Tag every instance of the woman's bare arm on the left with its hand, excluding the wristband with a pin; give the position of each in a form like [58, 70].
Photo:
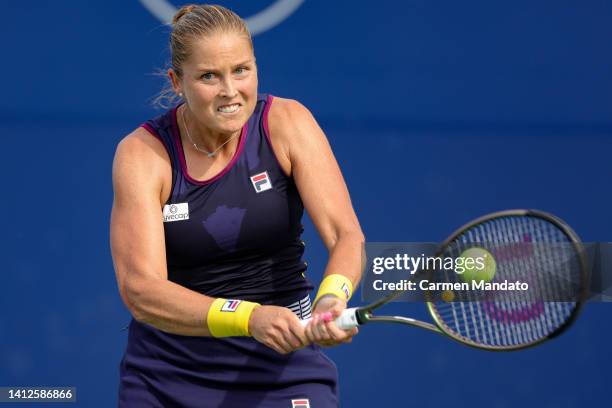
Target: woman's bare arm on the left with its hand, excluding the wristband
[141, 171]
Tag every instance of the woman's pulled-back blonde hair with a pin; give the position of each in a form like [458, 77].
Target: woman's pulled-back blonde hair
[191, 22]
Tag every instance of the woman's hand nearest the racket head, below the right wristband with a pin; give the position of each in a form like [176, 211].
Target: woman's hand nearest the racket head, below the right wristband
[322, 330]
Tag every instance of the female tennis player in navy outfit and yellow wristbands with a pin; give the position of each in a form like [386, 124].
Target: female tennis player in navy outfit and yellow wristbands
[205, 236]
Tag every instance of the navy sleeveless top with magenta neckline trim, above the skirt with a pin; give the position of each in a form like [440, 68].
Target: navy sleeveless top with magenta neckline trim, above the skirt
[236, 235]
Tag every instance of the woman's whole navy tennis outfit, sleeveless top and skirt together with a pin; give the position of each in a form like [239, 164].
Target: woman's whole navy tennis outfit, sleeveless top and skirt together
[236, 235]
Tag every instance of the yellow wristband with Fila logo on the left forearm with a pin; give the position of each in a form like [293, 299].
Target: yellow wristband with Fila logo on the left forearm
[229, 317]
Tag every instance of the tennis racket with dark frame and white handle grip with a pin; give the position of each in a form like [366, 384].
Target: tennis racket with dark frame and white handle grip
[530, 245]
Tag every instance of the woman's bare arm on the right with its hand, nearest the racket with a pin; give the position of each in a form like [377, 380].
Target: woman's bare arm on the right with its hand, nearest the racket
[306, 154]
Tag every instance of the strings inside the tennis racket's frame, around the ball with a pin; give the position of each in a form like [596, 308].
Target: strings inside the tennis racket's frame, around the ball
[528, 249]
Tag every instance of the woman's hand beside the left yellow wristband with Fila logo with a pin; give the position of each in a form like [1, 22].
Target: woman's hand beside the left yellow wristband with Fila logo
[278, 328]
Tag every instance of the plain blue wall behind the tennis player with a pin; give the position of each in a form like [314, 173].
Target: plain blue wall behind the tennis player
[438, 111]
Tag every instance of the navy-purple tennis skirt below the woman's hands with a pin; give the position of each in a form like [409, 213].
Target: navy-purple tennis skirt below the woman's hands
[166, 370]
